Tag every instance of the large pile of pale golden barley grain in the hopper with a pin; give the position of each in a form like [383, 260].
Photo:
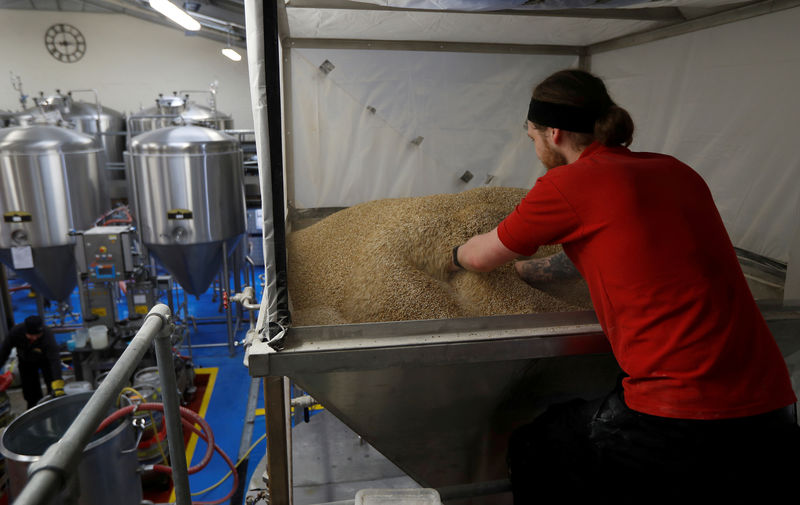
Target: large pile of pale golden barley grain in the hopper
[387, 260]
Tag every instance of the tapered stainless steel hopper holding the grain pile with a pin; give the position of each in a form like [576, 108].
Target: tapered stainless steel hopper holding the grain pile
[440, 398]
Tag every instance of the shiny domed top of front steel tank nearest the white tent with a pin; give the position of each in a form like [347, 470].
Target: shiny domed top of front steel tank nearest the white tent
[183, 140]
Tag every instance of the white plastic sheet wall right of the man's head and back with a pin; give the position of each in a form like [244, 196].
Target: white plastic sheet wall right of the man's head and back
[724, 100]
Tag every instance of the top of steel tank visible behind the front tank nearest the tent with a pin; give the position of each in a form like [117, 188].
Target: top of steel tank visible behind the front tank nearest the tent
[171, 110]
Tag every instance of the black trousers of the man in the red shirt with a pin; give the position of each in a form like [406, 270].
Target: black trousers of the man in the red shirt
[603, 452]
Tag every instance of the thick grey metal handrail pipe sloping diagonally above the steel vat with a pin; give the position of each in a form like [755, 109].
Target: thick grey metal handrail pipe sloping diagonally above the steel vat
[49, 474]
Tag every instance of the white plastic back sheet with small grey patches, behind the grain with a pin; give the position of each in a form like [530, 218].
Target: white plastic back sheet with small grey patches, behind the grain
[469, 110]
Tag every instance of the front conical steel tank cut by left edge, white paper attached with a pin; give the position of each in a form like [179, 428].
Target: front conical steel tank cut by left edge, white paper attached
[52, 181]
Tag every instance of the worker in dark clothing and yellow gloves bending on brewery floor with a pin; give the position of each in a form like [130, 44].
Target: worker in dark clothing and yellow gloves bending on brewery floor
[36, 350]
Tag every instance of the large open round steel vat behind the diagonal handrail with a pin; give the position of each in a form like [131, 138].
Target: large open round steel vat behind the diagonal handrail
[107, 472]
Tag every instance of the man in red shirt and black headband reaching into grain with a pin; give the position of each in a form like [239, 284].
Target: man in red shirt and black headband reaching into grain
[705, 410]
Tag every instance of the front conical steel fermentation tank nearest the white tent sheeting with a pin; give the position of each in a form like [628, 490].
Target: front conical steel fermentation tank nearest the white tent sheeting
[188, 191]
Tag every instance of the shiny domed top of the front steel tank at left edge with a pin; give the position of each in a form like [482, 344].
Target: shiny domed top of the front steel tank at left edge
[45, 138]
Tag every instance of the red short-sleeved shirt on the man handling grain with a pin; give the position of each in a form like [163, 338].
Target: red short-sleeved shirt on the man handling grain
[669, 293]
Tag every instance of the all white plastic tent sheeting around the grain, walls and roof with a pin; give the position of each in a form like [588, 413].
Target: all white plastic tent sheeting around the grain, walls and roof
[720, 99]
